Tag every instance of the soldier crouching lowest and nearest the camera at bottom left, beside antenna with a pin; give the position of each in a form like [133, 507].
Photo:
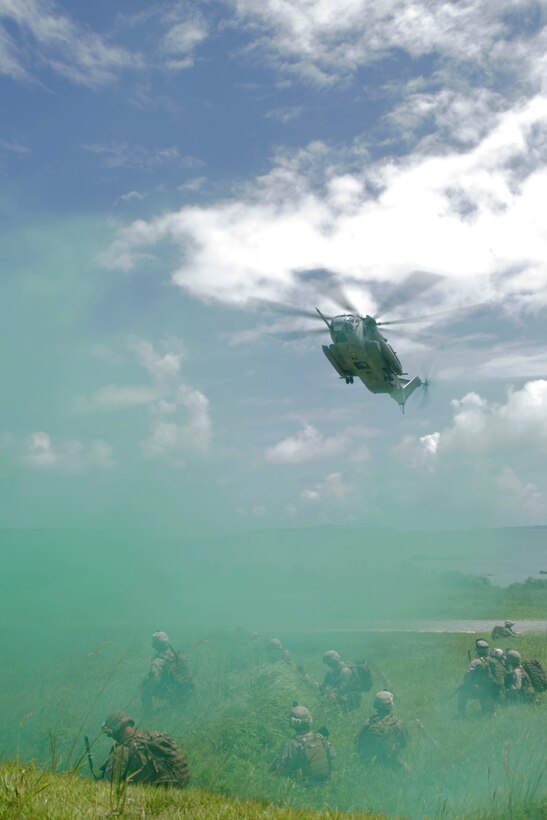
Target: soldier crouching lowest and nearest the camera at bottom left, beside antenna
[142, 756]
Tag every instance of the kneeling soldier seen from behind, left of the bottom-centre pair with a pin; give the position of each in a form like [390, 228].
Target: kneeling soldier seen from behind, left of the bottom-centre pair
[309, 755]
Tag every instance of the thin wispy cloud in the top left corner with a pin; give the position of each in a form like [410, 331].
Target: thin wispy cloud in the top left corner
[82, 56]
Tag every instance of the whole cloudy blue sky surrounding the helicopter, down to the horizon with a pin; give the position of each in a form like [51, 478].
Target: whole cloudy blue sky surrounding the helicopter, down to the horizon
[164, 165]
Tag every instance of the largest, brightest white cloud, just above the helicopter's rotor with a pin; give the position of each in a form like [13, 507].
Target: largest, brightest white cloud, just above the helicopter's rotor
[473, 216]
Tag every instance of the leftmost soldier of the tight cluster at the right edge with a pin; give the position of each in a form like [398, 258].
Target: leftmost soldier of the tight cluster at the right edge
[484, 680]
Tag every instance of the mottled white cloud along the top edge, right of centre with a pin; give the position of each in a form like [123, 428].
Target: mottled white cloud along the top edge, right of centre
[323, 41]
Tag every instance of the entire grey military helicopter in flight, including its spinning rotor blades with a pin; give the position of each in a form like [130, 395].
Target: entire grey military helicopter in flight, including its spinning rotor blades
[358, 349]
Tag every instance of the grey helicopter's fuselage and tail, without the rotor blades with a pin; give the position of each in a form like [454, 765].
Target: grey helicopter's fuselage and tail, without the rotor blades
[359, 350]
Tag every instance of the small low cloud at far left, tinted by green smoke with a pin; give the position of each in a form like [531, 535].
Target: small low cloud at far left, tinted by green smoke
[66, 456]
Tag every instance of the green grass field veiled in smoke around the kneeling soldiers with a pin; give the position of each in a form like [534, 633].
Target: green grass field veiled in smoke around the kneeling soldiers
[237, 721]
